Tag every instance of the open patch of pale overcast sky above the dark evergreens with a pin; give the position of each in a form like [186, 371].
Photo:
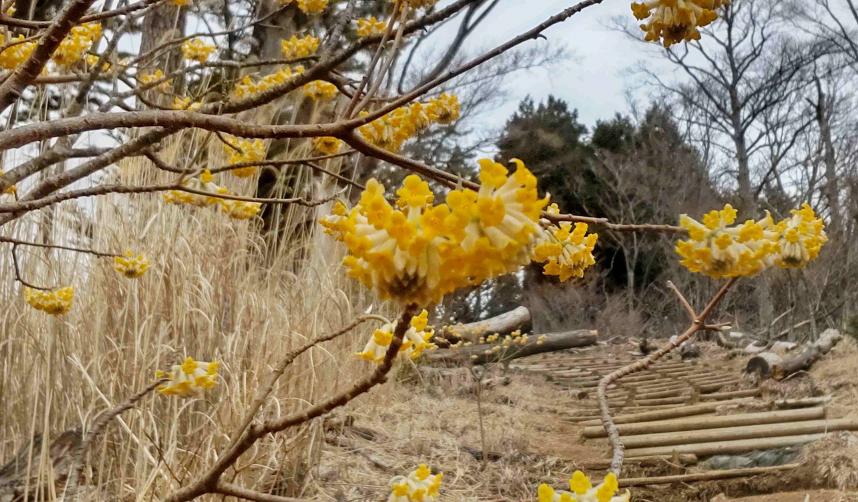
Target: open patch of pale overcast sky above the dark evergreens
[597, 76]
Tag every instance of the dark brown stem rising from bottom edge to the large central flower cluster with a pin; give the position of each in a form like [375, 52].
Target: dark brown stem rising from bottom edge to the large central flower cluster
[209, 482]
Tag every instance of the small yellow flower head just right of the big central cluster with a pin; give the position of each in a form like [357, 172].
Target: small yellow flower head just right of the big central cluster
[566, 252]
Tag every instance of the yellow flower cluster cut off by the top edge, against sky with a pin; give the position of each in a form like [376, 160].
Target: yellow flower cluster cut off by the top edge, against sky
[673, 21]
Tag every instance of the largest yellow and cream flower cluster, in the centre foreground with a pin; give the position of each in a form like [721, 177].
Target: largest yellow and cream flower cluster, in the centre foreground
[419, 252]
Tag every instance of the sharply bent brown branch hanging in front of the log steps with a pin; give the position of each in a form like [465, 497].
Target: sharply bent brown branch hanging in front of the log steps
[697, 323]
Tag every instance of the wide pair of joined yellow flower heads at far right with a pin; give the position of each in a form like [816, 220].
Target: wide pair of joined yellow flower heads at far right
[719, 249]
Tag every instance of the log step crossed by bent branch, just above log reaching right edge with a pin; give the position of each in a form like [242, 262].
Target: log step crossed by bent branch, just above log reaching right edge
[697, 423]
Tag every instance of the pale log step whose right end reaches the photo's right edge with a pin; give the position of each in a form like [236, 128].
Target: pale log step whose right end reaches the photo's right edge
[742, 432]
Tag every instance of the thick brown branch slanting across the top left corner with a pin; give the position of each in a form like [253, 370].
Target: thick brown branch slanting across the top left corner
[11, 89]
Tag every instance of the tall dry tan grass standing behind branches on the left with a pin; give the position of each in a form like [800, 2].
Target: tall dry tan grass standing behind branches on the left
[215, 291]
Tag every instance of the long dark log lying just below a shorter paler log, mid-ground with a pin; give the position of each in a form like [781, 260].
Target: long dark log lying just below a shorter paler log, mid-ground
[482, 354]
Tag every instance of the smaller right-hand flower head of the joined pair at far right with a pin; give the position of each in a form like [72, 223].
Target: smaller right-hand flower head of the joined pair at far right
[801, 238]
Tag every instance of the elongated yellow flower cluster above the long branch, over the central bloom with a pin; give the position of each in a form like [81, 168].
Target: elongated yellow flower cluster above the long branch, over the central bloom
[394, 129]
